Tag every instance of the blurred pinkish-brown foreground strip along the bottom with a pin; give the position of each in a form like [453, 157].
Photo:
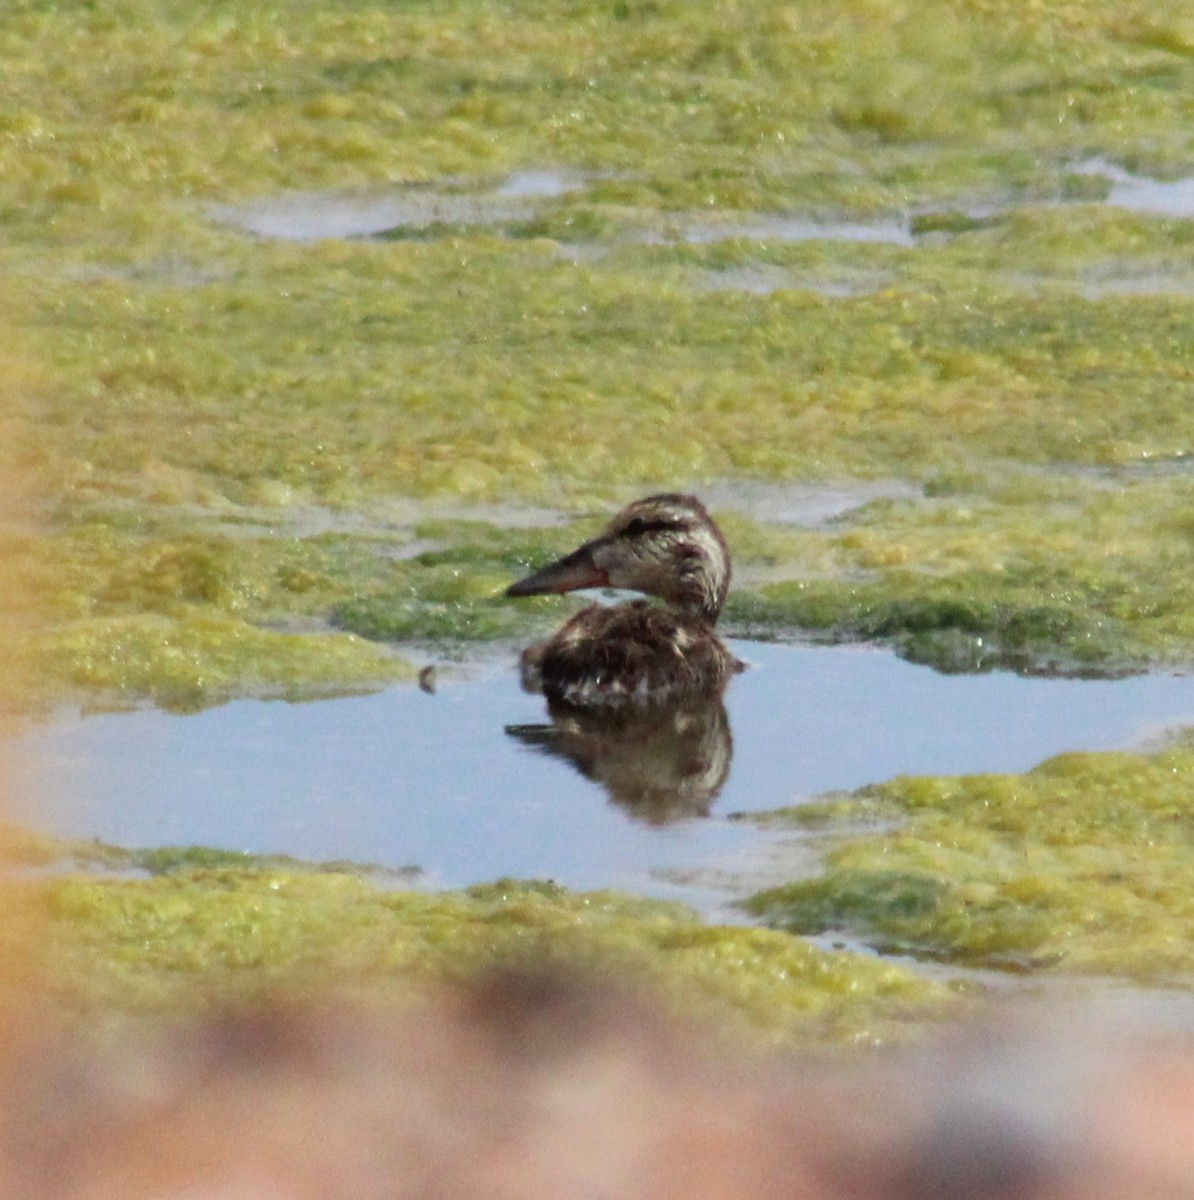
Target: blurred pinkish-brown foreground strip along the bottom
[533, 1085]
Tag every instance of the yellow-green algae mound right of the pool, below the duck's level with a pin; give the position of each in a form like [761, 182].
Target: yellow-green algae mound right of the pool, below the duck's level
[1081, 866]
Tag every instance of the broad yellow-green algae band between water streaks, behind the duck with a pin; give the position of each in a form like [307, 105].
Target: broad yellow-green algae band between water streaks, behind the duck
[488, 373]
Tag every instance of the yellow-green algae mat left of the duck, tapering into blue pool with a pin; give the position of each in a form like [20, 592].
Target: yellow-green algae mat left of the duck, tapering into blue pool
[183, 617]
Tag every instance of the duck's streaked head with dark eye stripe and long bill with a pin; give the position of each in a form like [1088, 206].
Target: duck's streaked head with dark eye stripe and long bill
[665, 547]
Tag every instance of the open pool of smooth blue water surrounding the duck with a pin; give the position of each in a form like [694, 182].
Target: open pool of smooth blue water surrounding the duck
[455, 782]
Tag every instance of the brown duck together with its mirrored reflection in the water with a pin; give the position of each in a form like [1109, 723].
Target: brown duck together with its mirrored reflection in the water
[635, 689]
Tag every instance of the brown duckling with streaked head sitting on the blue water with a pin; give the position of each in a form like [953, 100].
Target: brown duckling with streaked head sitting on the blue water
[638, 653]
